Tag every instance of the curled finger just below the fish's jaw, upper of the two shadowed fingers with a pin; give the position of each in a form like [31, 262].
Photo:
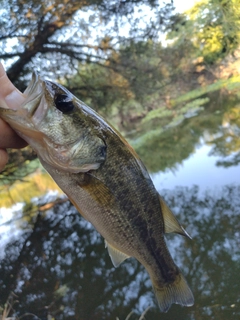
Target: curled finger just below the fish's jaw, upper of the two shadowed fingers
[9, 138]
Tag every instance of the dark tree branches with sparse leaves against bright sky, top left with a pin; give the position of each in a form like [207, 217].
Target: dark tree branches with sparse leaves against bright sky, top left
[55, 36]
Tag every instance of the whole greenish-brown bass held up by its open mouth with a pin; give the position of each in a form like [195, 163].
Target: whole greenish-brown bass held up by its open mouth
[105, 180]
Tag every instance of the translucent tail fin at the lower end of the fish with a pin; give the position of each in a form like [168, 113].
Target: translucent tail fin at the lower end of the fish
[177, 292]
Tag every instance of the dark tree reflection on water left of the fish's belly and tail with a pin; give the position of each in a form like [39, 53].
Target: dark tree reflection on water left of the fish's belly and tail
[64, 254]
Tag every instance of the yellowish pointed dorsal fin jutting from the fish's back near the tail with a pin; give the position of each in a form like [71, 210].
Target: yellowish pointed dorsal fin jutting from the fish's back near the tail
[170, 222]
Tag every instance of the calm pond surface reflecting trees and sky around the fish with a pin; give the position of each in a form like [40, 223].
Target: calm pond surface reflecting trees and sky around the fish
[54, 265]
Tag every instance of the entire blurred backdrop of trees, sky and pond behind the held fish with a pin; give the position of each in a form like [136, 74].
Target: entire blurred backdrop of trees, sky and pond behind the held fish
[166, 74]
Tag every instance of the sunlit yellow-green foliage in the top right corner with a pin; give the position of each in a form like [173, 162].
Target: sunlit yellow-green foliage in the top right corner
[212, 26]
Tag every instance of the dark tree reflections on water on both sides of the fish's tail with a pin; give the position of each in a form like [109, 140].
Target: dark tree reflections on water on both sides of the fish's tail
[61, 267]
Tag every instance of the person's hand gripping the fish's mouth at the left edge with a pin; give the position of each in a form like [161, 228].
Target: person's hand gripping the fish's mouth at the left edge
[13, 98]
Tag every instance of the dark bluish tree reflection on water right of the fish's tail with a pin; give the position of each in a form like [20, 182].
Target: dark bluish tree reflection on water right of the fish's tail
[213, 259]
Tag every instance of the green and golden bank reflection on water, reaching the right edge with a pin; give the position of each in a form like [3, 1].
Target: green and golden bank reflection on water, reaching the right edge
[162, 148]
